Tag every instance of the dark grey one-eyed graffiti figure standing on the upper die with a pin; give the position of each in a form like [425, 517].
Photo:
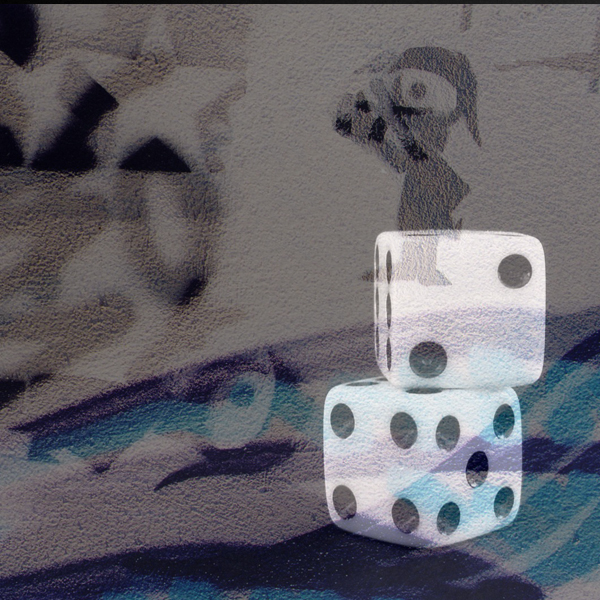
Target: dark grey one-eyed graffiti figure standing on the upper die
[405, 117]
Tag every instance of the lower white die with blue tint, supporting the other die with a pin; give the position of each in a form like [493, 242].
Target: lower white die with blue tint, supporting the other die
[421, 469]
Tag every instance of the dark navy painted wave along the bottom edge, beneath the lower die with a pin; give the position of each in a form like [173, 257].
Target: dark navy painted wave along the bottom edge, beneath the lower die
[325, 561]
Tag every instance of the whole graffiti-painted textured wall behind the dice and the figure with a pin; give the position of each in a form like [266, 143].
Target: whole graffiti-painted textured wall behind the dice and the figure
[186, 247]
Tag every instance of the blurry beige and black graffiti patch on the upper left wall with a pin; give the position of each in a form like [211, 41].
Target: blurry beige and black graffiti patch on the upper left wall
[109, 208]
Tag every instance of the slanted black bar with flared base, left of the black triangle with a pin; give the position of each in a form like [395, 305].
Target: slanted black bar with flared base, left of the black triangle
[70, 150]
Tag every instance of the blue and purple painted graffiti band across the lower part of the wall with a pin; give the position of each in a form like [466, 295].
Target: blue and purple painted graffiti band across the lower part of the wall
[148, 442]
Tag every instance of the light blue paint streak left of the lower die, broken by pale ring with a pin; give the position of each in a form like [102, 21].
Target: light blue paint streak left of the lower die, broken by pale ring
[124, 429]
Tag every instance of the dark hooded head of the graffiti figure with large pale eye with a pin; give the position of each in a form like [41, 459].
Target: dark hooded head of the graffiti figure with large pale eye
[430, 89]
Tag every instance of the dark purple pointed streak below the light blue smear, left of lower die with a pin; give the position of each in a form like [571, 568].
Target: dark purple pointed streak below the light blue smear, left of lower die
[252, 458]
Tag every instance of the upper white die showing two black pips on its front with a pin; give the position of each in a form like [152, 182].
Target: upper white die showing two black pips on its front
[459, 309]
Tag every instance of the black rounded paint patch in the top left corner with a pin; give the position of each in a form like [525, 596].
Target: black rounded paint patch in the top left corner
[18, 31]
